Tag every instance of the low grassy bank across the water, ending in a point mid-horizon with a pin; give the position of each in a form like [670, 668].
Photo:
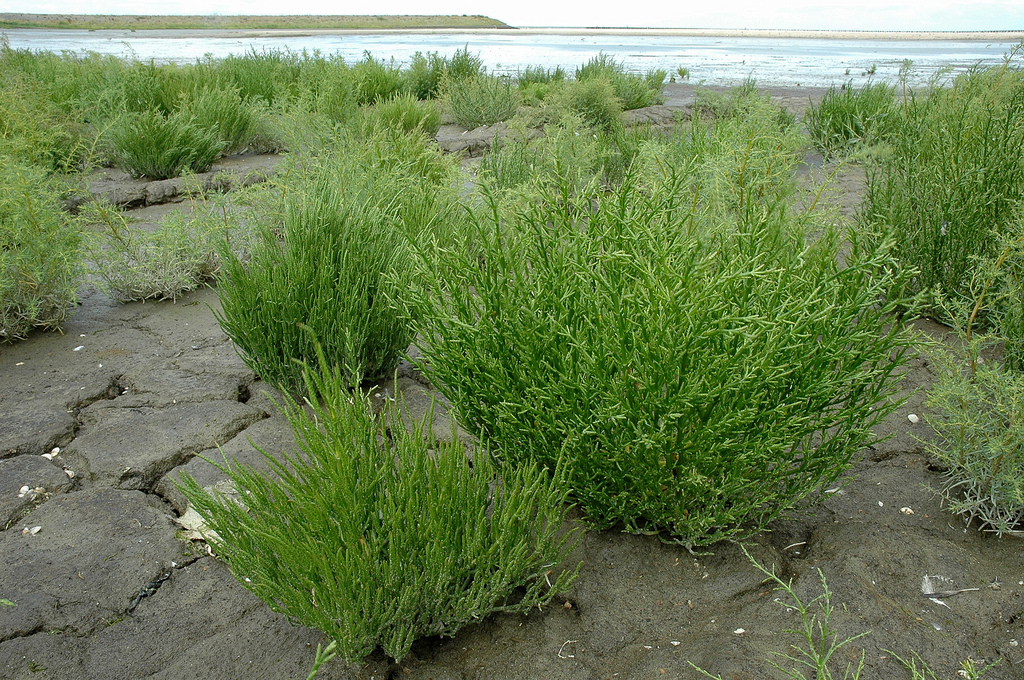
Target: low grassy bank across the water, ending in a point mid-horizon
[14, 21]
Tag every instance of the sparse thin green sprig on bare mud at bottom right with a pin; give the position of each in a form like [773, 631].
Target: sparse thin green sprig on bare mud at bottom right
[820, 641]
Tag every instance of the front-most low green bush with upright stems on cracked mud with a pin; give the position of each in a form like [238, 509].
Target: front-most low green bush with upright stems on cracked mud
[378, 536]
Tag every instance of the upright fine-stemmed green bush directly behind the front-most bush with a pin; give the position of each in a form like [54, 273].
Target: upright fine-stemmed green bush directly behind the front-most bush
[339, 272]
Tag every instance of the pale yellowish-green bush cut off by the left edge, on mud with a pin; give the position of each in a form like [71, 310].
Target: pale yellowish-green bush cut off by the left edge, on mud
[40, 259]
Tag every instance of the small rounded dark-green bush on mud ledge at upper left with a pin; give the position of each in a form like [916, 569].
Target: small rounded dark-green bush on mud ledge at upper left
[151, 145]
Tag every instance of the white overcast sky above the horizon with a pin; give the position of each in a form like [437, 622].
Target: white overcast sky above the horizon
[824, 15]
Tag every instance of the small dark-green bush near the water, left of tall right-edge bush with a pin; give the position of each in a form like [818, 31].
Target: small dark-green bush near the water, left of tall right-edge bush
[847, 119]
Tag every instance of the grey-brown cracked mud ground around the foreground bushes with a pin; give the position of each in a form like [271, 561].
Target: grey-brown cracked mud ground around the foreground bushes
[109, 589]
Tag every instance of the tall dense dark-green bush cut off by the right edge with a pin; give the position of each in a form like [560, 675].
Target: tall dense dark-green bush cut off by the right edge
[953, 182]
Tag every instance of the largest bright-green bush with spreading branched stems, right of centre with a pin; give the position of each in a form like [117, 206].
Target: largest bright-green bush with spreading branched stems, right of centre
[701, 365]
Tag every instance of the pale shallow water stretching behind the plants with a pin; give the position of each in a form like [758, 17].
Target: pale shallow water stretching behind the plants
[716, 61]
